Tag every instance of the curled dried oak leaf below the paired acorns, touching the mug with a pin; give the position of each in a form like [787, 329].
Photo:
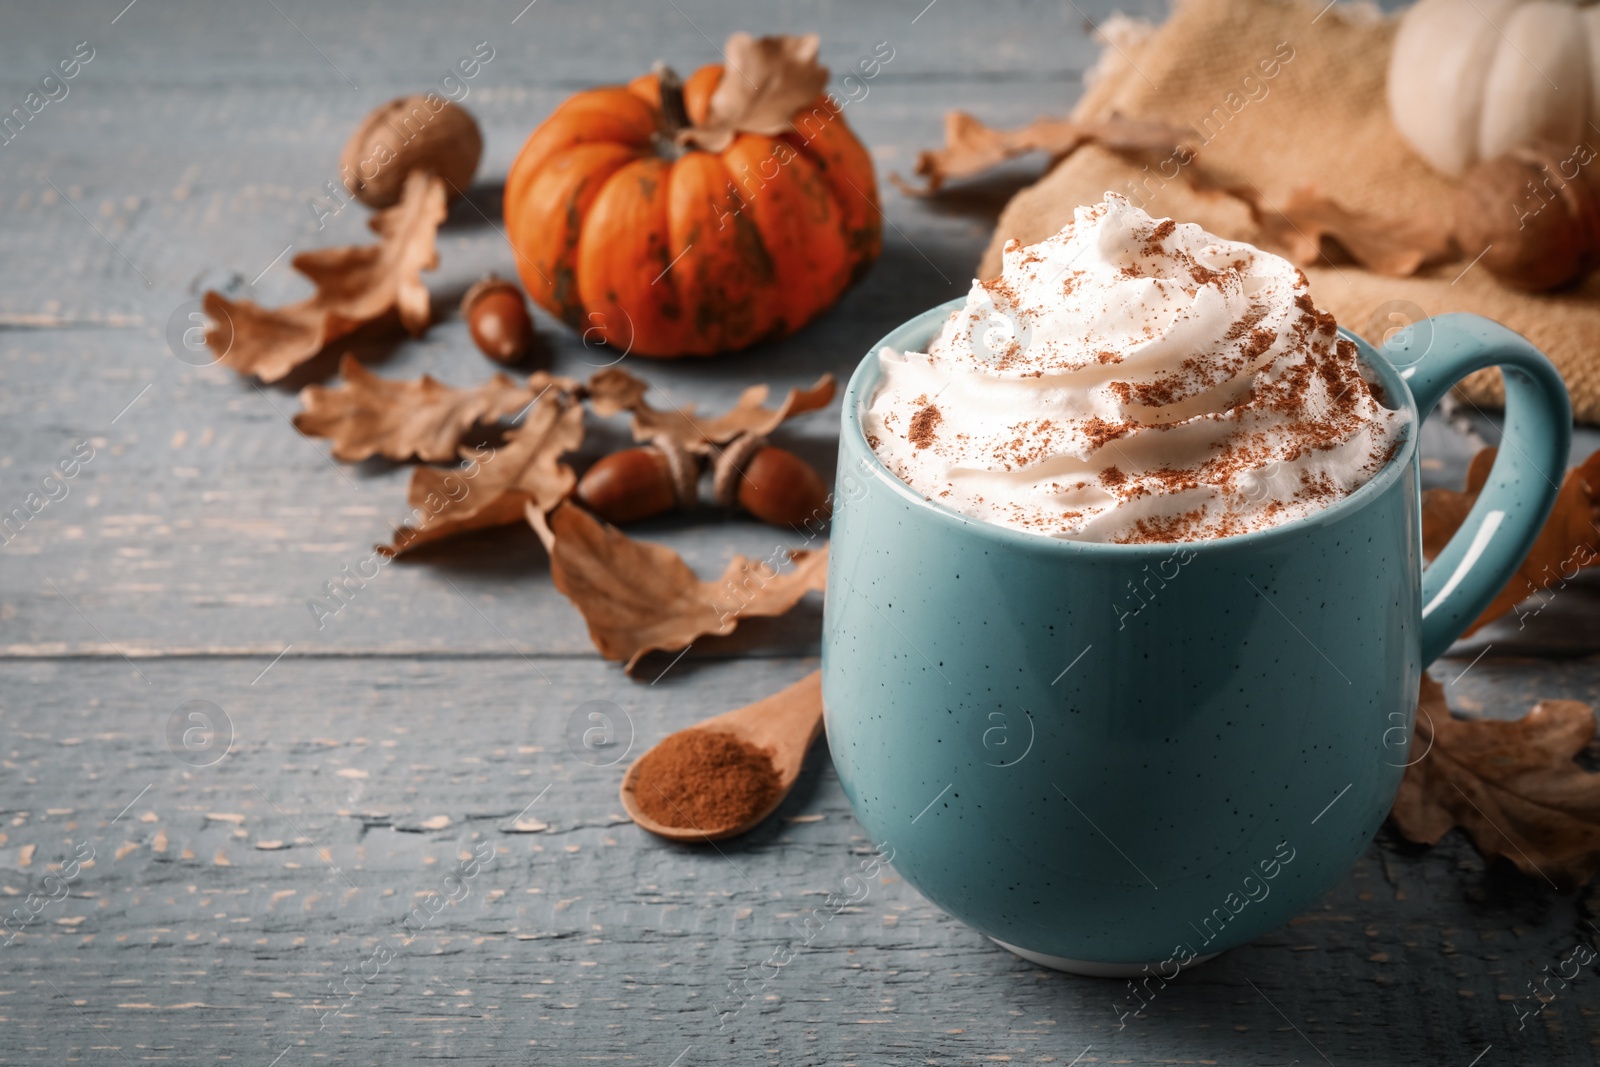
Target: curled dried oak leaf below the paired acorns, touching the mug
[641, 597]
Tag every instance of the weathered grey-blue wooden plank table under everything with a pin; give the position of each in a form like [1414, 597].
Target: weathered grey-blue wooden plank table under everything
[249, 901]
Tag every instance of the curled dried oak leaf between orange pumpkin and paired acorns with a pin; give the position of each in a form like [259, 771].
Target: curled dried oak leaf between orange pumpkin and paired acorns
[614, 391]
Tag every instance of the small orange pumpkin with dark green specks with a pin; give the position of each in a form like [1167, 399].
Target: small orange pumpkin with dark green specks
[682, 252]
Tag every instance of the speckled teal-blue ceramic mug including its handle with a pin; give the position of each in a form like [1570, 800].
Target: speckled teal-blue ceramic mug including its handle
[1118, 759]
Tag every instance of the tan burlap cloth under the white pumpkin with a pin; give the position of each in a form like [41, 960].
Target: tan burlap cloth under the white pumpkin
[1324, 121]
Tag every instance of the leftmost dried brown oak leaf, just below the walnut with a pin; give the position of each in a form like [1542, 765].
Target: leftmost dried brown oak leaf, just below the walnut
[354, 286]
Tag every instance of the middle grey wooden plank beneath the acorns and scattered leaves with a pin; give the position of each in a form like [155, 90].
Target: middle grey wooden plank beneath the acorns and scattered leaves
[204, 510]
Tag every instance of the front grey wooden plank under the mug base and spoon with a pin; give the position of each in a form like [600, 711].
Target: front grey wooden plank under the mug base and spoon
[188, 940]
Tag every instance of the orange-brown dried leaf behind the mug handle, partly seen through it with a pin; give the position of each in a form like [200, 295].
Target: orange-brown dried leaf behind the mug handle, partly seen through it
[1569, 543]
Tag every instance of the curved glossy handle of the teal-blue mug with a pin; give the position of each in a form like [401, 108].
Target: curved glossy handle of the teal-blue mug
[1431, 358]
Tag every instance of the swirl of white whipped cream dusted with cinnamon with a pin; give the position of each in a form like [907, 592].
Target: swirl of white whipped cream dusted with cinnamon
[1134, 380]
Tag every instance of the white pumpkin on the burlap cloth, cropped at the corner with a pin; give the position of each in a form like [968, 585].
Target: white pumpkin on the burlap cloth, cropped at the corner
[1470, 79]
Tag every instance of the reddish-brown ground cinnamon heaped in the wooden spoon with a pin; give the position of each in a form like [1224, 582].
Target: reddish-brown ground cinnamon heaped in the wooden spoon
[705, 780]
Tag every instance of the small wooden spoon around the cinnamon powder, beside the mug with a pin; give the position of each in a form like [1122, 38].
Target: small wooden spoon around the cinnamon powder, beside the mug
[783, 725]
